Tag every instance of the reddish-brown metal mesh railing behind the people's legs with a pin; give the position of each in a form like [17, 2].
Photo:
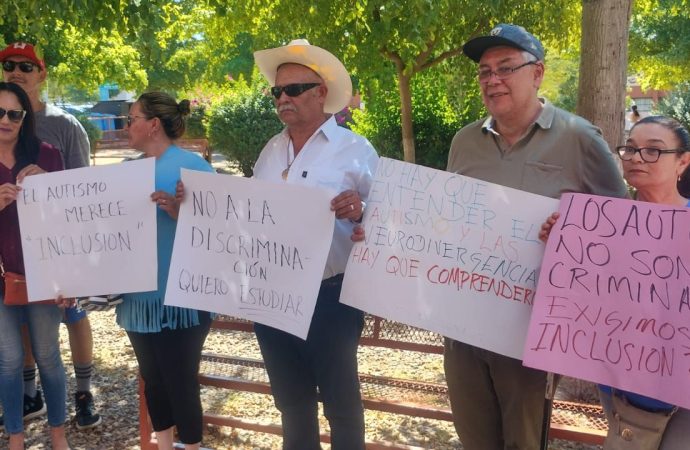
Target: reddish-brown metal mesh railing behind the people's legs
[569, 420]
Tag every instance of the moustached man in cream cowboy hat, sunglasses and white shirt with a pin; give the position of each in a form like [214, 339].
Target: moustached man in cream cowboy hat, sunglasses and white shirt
[310, 85]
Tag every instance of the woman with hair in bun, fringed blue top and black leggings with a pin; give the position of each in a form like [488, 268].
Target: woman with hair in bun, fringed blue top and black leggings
[167, 340]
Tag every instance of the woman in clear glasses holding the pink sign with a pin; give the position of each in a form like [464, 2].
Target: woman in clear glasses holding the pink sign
[655, 159]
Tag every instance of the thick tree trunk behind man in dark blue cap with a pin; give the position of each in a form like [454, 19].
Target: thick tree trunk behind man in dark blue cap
[603, 66]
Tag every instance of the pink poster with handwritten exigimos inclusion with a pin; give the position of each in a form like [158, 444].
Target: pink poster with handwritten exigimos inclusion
[613, 298]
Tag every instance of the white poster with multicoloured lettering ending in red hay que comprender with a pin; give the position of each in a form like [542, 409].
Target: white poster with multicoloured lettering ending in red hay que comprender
[450, 254]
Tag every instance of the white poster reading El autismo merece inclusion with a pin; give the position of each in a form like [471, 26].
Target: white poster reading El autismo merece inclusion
[89, 231]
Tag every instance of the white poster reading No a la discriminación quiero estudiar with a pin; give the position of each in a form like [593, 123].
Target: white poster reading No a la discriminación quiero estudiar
[251, 249]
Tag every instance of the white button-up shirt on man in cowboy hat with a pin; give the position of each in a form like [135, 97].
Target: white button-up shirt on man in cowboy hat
[334, 158]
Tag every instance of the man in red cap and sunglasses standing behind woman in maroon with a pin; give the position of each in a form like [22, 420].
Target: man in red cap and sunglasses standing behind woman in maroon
[22, 64]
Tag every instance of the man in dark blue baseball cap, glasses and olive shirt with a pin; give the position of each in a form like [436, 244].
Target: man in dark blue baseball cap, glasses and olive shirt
[526, 143]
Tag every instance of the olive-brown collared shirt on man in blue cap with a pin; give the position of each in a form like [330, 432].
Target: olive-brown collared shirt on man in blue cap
[560, 153]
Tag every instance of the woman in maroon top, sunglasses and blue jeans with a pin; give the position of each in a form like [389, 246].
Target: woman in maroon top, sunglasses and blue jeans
[21, 155]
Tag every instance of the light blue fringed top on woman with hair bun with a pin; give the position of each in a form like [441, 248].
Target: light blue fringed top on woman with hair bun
[144, 312]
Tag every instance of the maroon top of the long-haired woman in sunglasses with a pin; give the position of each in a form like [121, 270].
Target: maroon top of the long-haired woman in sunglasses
[10, 240]
